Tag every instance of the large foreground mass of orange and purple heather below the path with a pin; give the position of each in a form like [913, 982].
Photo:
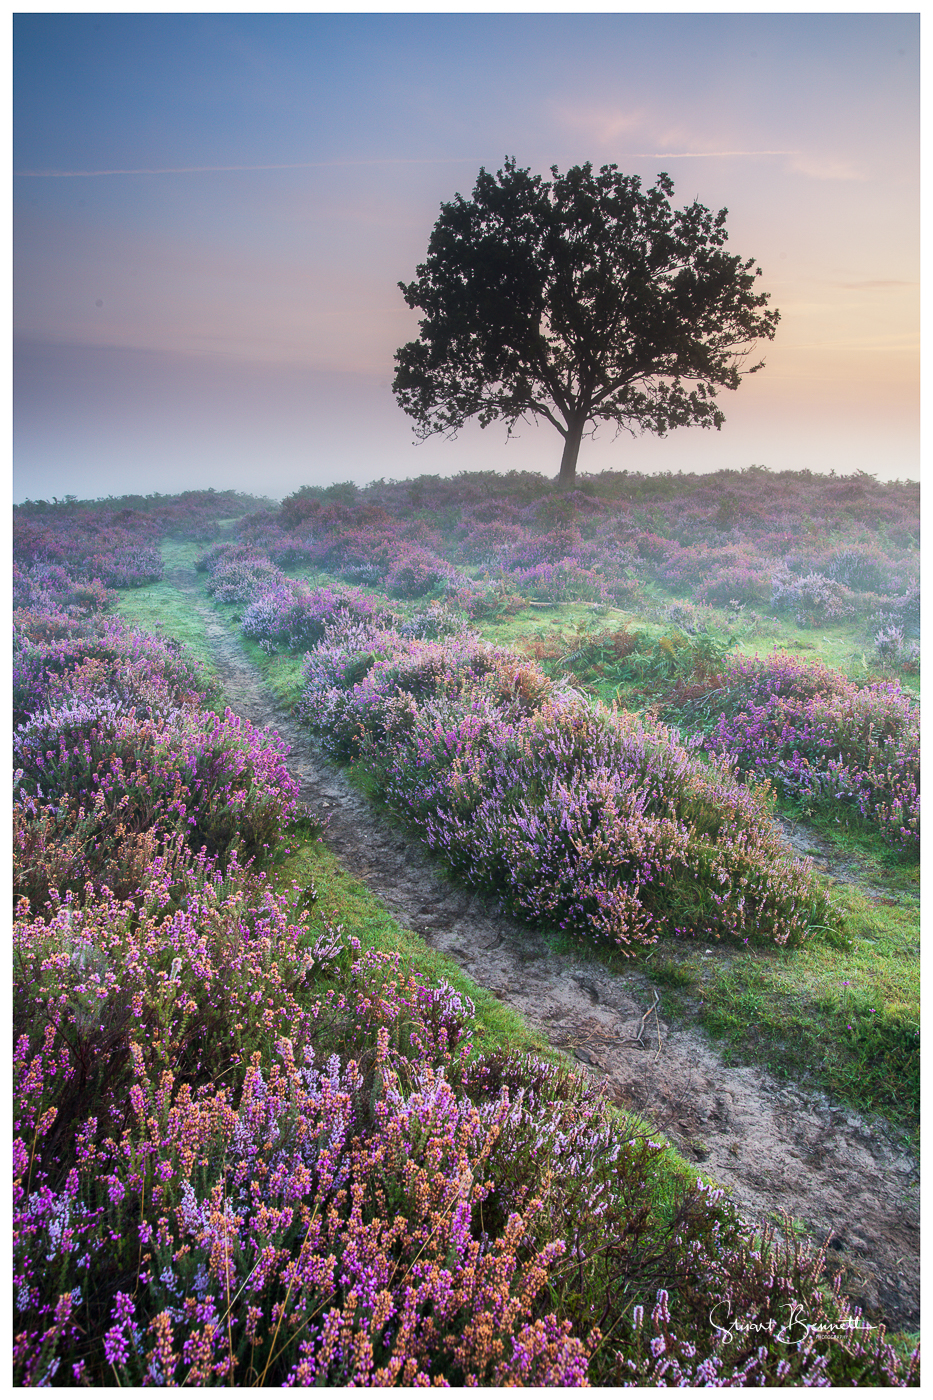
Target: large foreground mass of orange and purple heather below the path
[340, 1192]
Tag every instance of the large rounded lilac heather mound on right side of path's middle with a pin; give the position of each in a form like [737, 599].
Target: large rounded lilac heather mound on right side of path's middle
[603, 827]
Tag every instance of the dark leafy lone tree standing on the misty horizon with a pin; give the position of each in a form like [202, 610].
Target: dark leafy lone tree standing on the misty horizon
[578, 300]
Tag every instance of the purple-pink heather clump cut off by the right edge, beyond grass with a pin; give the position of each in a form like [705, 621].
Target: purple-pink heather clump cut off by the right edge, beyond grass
[824, 738]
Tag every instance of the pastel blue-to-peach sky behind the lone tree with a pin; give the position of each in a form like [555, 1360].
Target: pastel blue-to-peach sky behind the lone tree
[212, 213]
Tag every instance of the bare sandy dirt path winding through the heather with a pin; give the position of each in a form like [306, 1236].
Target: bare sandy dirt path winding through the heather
[778, 1149]
